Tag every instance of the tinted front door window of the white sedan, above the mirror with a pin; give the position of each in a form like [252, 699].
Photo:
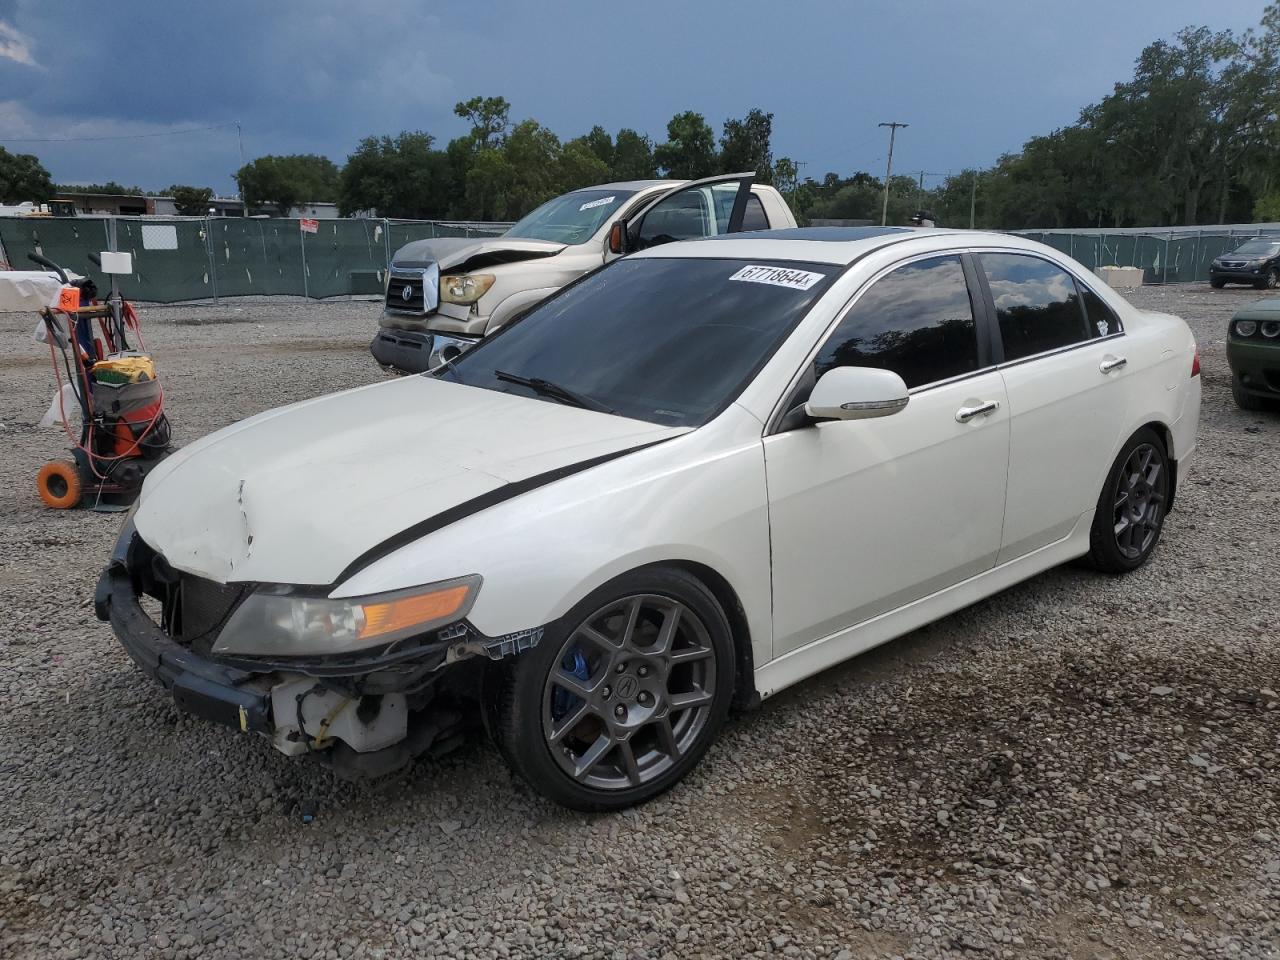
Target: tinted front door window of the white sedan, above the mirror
[917, 322]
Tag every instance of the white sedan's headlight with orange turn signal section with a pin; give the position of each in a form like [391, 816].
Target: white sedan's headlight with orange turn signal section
[280, 621]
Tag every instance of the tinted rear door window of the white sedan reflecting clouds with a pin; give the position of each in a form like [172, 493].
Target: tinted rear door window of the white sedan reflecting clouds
[1036, 303]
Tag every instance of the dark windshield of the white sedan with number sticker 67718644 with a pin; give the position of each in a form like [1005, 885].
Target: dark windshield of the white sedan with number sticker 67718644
[670, 341]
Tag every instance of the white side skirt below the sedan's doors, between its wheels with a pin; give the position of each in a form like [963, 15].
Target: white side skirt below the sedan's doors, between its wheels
[817, 656]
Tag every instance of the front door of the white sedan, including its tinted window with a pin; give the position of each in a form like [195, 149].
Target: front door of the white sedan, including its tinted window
[870, 515]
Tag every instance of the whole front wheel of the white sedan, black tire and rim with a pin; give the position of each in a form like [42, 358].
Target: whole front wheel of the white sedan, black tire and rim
[589, 716]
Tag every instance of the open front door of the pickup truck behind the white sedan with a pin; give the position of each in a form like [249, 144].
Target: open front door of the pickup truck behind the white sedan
[706, 208]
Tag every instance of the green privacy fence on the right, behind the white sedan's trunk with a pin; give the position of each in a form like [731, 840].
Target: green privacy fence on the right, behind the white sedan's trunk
[1163, 255]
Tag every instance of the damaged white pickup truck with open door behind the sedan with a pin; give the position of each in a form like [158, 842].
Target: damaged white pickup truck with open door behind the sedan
[446, 295]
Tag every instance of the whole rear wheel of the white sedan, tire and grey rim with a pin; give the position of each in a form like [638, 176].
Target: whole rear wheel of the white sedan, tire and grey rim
[1131, 513]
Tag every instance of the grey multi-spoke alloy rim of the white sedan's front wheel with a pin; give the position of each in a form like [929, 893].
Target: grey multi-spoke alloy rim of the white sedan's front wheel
[630, 693]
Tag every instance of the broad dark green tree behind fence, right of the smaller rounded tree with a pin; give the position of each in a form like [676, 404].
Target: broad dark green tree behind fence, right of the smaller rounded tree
[401, 177]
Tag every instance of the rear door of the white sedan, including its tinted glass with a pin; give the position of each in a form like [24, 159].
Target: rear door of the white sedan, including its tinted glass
[1063, 360]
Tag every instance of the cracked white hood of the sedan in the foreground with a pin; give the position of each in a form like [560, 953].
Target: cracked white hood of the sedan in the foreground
[296, 495]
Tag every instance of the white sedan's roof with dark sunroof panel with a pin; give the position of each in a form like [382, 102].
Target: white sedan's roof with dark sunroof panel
[828, 245]
